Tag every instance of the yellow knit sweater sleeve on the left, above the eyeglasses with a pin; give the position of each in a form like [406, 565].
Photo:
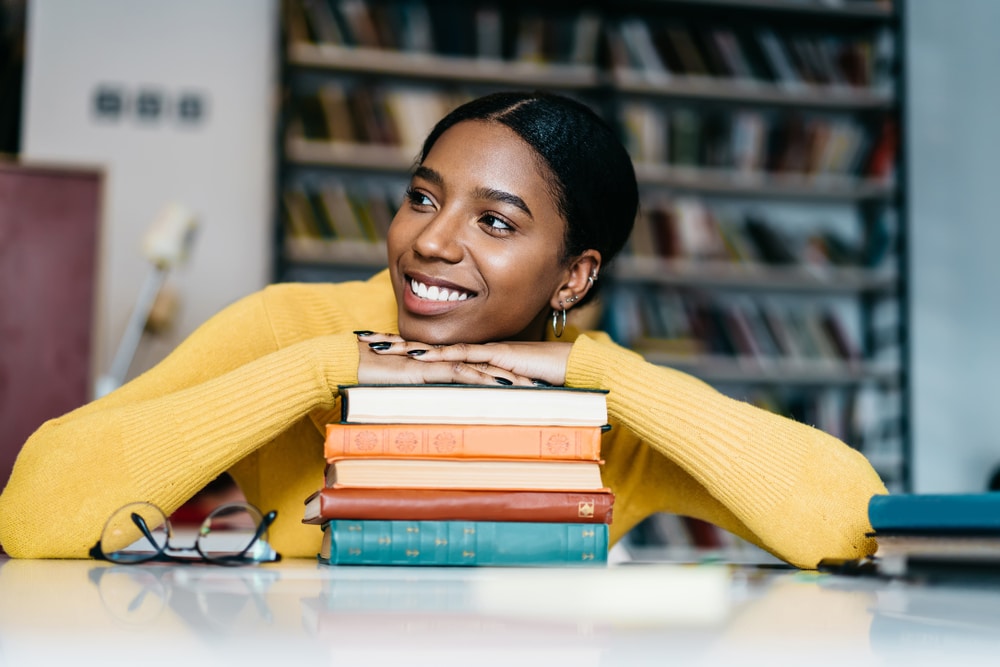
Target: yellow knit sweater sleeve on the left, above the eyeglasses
[226, 391]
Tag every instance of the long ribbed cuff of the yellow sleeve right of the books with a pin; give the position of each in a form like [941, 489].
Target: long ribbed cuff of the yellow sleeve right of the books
[744, 456]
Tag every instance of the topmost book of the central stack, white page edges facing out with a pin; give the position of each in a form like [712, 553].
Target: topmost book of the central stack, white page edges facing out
[473, 404]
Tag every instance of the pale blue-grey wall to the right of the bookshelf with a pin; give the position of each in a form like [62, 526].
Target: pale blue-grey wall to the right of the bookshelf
[954, 143]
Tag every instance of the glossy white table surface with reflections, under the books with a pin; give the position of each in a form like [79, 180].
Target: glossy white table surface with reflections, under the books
[298, 612]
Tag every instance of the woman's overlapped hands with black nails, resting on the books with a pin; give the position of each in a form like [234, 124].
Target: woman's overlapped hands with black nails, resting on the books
[387, 358]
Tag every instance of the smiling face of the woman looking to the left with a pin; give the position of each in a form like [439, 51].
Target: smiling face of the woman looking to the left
[475, 250]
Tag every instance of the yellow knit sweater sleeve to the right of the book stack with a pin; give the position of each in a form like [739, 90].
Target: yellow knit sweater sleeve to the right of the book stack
[684, 447]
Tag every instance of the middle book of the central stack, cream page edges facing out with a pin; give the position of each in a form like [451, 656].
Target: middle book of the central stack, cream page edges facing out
[467, 474]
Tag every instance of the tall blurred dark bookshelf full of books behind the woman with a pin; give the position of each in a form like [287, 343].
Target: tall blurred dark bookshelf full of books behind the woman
[769, 257]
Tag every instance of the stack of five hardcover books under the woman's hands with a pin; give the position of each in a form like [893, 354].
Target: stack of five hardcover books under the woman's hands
[464, 475]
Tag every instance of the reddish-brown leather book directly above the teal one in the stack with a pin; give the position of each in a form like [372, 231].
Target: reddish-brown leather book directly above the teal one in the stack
[459, 505]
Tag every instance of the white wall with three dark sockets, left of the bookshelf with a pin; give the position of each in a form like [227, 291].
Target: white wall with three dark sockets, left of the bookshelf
[222, 51]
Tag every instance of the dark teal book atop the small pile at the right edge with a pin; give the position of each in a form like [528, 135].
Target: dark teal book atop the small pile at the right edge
[956, 513]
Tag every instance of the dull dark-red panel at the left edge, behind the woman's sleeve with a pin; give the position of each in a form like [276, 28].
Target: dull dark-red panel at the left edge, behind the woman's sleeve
[49, 230]
